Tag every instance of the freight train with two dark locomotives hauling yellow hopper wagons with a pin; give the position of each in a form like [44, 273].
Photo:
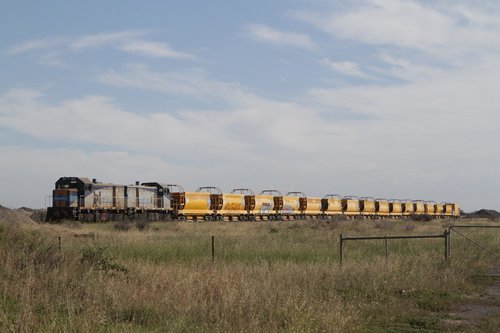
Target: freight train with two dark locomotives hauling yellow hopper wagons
[82, 199]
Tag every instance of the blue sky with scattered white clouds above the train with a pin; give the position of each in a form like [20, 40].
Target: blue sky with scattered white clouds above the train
[381, 98]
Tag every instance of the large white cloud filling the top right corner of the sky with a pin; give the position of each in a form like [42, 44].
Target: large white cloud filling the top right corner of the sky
[449, 32]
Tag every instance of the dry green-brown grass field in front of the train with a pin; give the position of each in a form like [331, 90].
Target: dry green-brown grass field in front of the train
[266, 277]
